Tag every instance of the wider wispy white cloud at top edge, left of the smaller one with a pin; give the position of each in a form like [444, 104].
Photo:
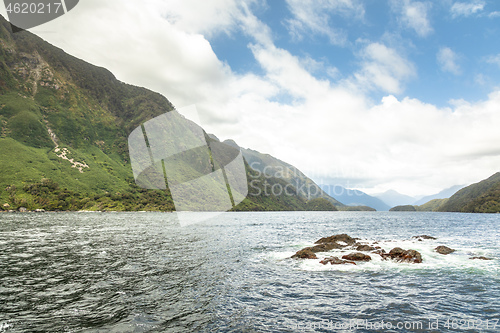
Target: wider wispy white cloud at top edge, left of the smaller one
[315, 16]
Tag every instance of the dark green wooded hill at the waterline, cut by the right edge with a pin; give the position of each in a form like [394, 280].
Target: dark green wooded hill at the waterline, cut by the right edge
[482, 197]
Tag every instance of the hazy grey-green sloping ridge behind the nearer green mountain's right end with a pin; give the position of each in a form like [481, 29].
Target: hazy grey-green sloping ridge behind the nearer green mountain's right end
[270, 166]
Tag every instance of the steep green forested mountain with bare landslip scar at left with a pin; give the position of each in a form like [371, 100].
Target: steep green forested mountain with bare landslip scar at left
[64, 125]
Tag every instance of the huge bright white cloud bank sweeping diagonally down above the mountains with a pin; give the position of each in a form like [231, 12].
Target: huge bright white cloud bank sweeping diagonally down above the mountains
[330, 131]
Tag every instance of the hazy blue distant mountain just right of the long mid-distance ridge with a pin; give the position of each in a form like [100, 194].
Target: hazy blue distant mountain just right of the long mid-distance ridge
[354, 197]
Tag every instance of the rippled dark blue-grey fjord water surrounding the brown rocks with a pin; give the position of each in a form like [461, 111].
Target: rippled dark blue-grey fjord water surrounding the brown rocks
[142, 272]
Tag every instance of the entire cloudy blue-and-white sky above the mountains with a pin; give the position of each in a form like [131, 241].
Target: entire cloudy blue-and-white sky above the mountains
[367, 94]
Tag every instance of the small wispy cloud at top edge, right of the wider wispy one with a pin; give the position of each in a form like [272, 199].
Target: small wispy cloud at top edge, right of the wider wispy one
[414, 15]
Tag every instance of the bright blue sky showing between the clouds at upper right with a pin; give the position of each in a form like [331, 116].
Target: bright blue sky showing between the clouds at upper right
[453, 51]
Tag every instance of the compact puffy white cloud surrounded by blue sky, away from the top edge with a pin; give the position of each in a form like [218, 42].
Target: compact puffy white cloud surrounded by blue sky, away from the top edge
[383, 68]
